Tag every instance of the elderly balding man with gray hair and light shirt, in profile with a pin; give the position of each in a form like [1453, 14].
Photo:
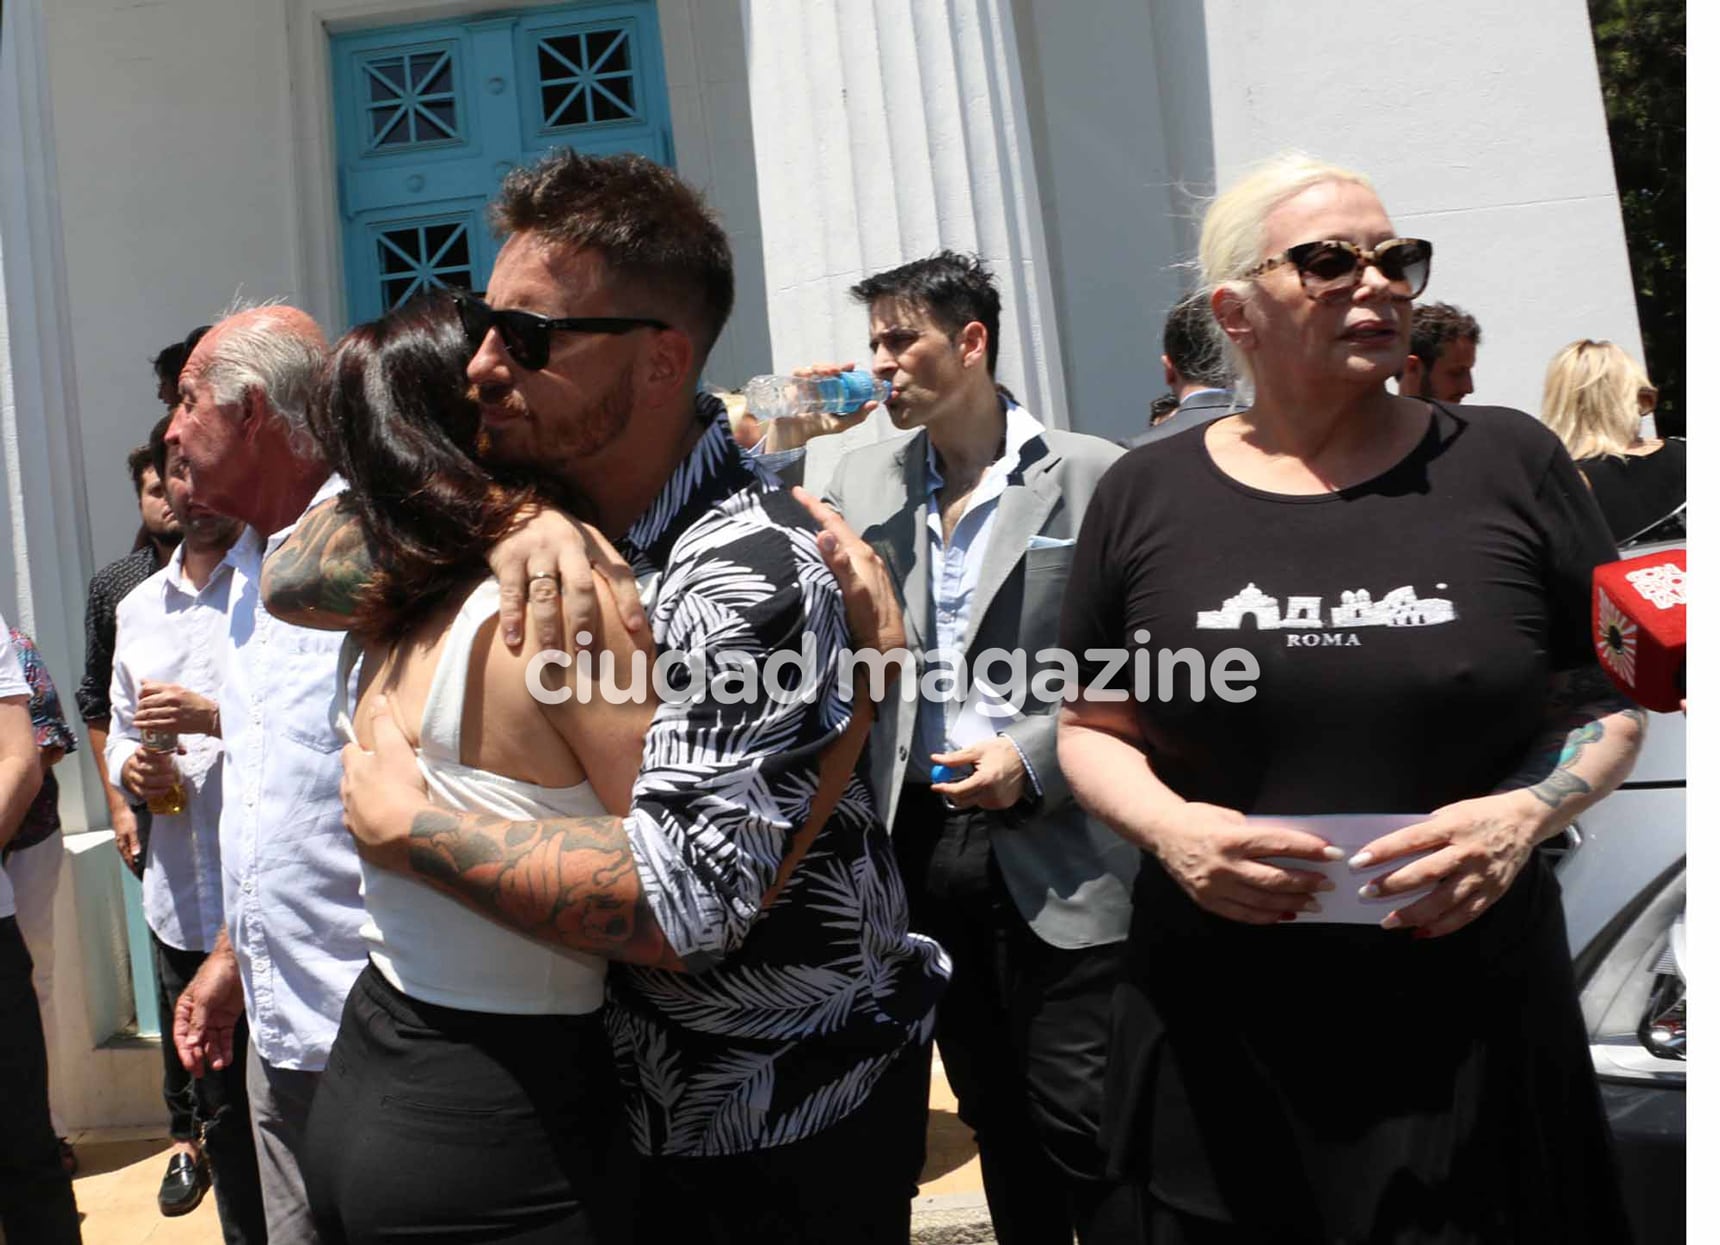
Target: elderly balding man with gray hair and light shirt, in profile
[292, 945]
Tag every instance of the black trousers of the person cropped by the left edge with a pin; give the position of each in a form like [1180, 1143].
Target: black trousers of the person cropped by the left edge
[37, 1201]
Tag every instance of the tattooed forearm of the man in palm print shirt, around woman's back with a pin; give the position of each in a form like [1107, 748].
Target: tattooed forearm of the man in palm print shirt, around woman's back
[568, 881]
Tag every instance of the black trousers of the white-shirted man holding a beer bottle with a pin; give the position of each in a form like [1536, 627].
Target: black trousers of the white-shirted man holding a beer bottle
[214, 1107]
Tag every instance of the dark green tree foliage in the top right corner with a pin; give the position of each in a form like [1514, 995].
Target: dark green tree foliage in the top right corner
[1640, 47]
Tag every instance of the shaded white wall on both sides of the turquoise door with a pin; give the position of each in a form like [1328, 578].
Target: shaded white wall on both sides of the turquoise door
[195, 145]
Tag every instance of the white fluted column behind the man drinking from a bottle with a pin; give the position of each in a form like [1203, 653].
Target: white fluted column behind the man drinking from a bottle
[888, 130]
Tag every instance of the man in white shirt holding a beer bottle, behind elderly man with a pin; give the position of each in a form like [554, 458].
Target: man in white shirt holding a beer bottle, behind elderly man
[166, 678]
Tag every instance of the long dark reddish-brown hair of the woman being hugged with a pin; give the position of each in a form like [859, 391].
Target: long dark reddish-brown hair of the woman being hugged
[395, 415]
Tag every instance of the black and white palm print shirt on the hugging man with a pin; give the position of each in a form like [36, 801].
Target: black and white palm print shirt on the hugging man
[790, 1014]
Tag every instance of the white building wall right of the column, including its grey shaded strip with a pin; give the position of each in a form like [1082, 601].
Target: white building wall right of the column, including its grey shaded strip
[1480, 123]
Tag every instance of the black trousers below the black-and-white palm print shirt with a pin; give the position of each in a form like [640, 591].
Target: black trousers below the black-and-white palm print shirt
[851, 1184]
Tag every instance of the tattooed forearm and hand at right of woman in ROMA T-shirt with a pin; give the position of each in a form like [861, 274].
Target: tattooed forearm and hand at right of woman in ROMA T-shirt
[1478, 847]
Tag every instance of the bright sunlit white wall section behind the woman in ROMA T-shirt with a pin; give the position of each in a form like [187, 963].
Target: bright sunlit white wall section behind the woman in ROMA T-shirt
[1480, 123]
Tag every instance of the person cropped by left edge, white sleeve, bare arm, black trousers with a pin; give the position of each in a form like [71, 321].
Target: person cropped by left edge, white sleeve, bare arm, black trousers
[35, 1191]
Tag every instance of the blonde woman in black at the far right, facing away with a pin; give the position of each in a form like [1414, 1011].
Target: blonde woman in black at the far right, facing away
[1595, 400]
